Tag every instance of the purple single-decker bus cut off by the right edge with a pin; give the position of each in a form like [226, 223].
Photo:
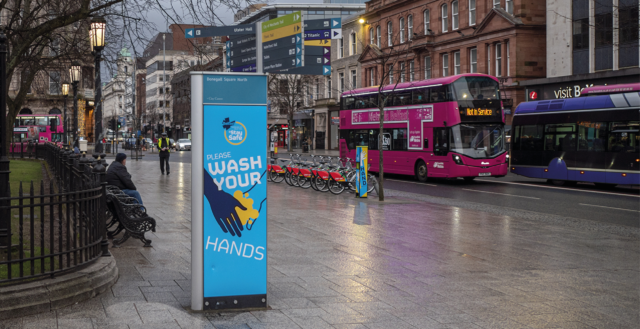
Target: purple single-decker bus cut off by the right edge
[587, 139]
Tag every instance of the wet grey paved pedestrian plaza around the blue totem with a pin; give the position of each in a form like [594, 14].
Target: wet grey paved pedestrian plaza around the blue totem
[337, 262]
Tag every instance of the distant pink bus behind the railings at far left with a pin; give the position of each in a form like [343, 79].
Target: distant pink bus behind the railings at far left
[30, 128]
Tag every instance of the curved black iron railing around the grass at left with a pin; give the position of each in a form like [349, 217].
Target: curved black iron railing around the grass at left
[55, 227]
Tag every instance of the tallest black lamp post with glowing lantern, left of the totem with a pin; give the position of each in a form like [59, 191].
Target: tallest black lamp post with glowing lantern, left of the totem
[96, 37]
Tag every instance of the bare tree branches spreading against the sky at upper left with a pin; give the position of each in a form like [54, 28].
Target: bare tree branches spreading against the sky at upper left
[46, 34]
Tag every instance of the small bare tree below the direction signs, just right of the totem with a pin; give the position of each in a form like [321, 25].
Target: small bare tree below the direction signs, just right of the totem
[287, 92]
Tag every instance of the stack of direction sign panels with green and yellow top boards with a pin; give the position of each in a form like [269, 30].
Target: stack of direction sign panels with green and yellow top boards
[282, 42]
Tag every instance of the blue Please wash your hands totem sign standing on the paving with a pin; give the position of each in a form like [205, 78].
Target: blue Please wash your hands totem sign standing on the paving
[229, 191]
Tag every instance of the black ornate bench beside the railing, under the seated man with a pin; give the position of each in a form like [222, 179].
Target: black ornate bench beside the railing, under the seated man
[127, 215]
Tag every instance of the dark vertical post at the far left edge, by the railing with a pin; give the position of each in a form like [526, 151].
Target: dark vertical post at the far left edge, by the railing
[5, 218]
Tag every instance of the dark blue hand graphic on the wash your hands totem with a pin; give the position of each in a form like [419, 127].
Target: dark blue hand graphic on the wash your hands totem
[223, 206]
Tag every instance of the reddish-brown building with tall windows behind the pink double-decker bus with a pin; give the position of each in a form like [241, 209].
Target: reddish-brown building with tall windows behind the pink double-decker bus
[430, 39]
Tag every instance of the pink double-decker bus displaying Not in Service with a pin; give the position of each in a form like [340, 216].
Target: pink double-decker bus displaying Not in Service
[446, 127]
